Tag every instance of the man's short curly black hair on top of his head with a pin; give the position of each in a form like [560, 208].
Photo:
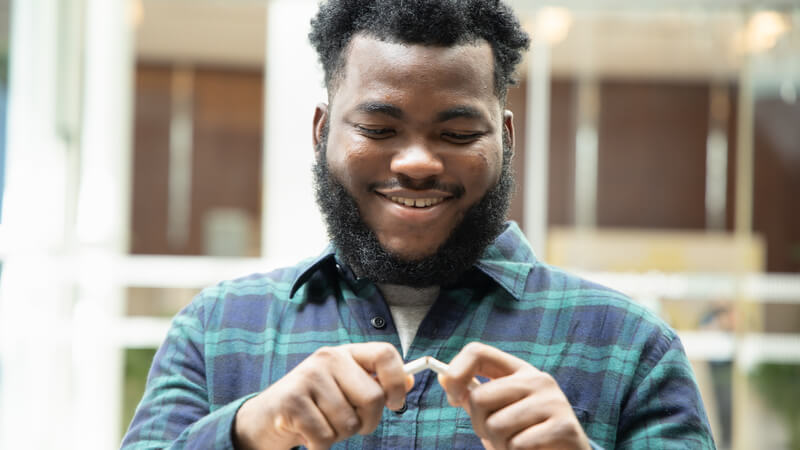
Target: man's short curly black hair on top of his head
[426, 22]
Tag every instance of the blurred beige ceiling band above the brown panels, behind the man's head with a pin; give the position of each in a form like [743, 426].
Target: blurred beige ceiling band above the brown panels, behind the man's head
[680, 39]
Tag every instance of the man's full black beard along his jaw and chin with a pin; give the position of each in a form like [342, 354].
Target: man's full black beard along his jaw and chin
[361, 250]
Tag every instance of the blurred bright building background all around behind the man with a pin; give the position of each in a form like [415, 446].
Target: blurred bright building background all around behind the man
[149, 148]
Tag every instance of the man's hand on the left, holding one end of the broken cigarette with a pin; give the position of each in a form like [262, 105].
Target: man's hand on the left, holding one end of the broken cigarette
[333, 394]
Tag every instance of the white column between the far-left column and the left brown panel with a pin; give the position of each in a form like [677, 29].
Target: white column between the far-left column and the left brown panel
[102, 222]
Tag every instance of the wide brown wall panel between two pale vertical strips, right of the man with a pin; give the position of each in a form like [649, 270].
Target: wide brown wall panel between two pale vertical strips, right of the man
[652, 155]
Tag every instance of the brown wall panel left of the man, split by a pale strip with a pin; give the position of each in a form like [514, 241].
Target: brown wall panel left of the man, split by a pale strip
[226, 153]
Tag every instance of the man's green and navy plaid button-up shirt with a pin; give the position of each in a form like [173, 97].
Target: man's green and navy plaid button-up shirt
[622, 369]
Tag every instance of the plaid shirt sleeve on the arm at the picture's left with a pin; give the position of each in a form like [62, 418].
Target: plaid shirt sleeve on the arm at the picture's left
[175, 409]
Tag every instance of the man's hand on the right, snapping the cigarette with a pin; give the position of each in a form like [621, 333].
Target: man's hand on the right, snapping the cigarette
[521, 407]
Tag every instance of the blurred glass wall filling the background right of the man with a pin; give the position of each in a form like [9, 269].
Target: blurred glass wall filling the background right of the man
[672, 175]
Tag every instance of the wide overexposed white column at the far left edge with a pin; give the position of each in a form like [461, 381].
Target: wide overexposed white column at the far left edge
[34, 291]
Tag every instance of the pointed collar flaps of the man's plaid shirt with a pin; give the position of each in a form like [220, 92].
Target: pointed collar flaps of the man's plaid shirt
[507, 261]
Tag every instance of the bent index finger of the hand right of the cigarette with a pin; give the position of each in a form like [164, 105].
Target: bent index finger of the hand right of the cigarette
[477, 359]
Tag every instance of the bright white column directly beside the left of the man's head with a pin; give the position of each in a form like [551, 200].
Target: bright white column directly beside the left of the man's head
[291, 224]
